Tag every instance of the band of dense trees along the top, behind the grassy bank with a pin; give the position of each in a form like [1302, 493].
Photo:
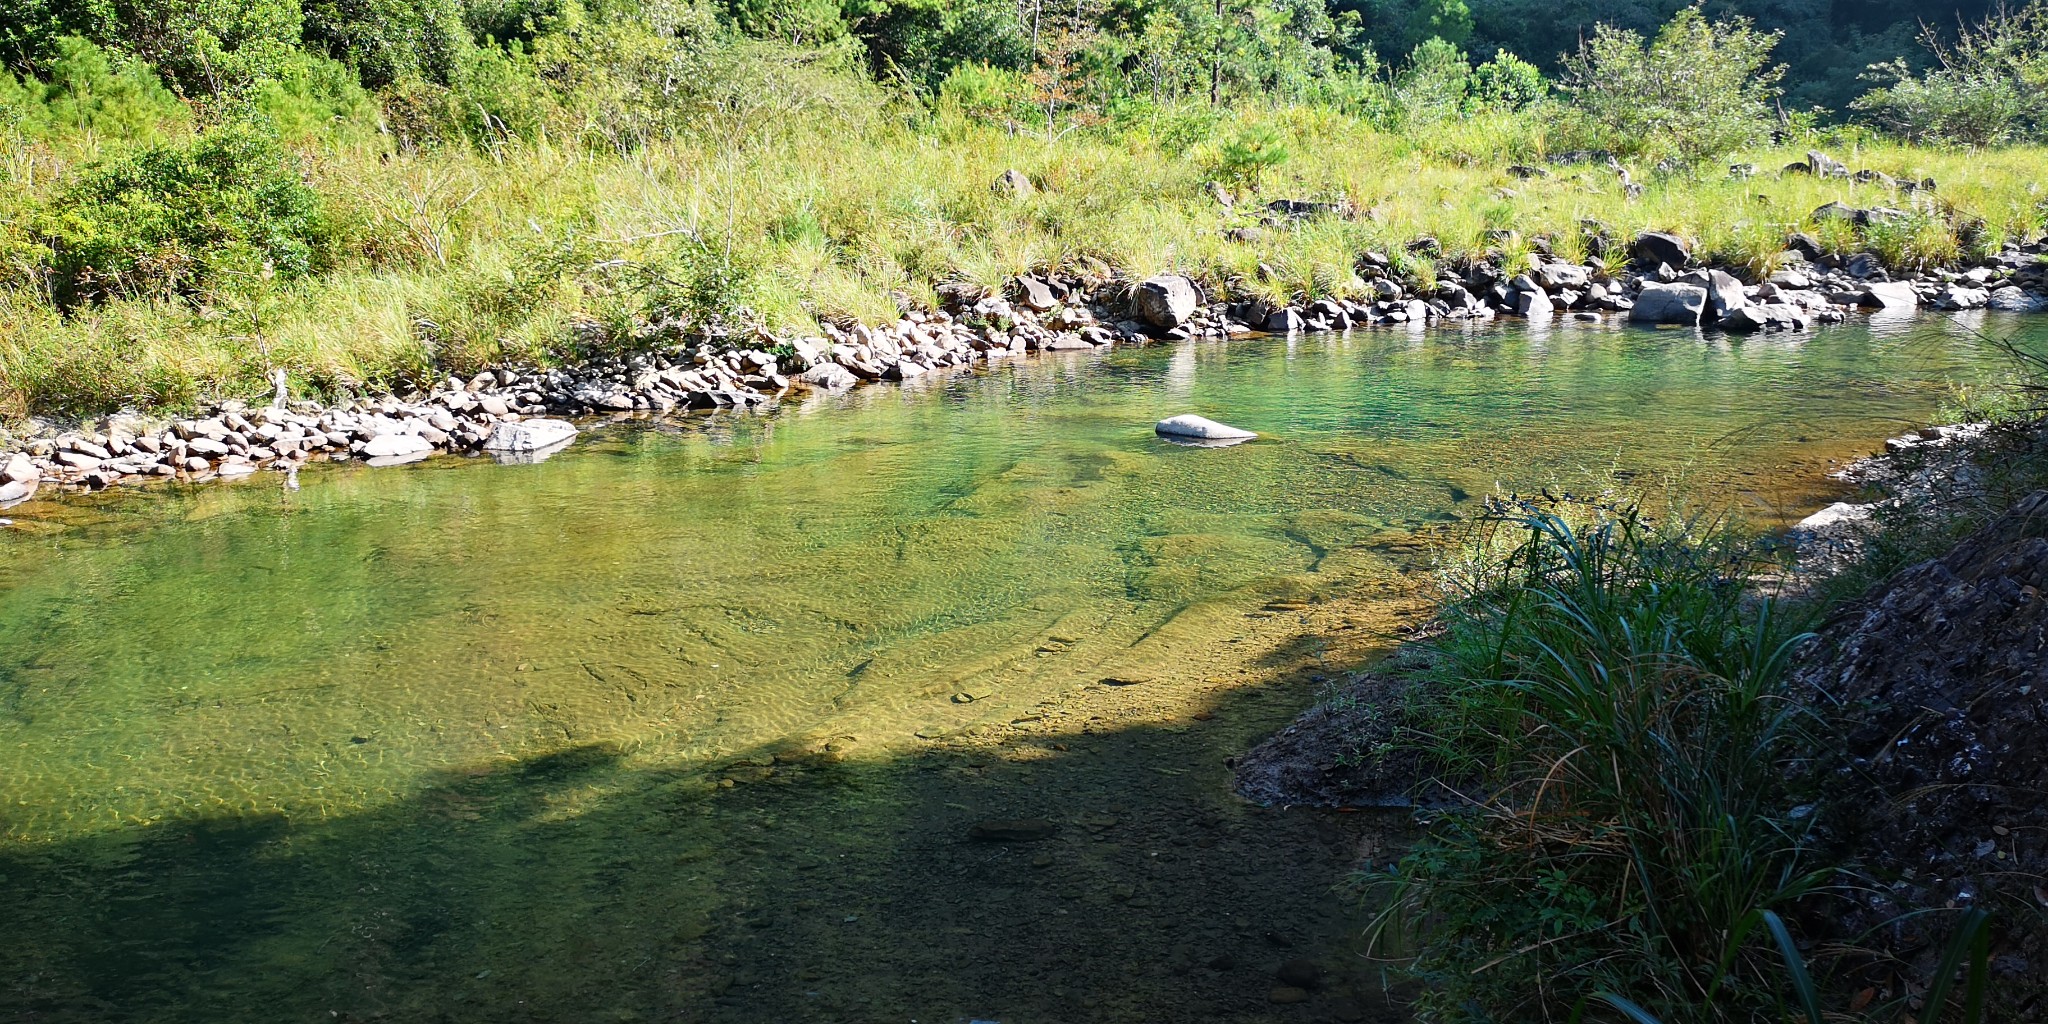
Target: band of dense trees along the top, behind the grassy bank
[1123, 46]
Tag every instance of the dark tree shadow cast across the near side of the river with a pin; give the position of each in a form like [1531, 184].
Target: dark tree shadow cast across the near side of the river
[785, 886]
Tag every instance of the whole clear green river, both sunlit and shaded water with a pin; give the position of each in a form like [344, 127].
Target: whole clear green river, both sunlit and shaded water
[691, 722]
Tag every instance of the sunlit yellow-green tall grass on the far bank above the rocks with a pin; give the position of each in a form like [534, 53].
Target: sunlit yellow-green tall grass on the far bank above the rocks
[843, 212]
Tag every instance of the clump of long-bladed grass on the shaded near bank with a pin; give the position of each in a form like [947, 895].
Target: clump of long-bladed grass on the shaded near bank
[1617, 699]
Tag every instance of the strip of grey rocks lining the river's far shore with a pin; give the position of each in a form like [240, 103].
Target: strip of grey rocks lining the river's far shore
[519, 413]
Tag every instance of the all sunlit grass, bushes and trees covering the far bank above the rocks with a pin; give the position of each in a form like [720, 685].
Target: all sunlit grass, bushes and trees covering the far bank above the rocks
[372, 194]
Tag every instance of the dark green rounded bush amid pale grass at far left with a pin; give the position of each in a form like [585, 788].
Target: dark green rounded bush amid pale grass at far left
[175, 218]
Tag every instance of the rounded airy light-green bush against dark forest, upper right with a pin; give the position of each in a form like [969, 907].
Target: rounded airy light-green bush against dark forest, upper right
[1695, 93]
